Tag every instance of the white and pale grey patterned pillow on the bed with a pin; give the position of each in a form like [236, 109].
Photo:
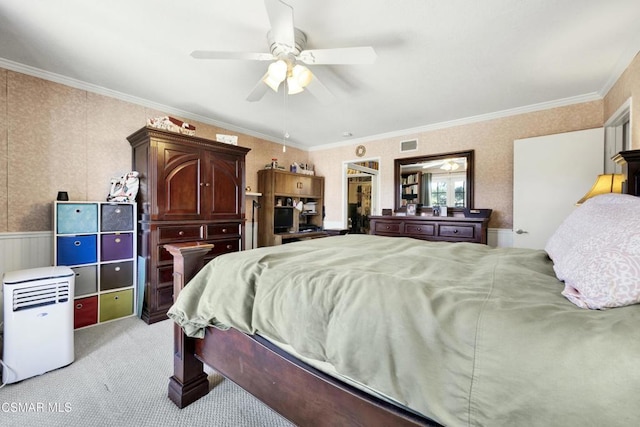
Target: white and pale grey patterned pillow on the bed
[596, 252]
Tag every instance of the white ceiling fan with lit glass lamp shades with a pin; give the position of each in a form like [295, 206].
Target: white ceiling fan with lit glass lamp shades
[287, 45]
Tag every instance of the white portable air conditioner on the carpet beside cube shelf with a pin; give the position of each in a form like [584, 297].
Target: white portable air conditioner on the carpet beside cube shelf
[38, 321]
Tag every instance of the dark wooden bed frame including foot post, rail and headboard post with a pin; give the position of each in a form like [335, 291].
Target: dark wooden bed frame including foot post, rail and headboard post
[298, 392]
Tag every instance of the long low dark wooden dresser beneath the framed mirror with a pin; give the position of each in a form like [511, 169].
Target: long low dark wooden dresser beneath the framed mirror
[445, 229]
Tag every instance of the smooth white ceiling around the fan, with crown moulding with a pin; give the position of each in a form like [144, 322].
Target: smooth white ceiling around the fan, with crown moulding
[438, 61]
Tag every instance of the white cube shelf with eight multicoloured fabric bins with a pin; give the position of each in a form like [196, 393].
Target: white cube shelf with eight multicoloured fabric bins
[97, 240]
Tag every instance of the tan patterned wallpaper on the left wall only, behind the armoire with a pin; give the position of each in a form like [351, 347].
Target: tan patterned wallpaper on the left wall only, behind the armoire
[54, 137]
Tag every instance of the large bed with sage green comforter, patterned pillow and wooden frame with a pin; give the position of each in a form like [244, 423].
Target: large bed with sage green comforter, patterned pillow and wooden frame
[394, 331]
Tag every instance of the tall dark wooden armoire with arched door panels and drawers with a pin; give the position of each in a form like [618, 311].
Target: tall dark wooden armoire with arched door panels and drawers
[191, 190]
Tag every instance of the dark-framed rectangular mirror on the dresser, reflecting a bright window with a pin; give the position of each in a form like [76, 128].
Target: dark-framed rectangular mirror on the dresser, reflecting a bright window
[435, 180]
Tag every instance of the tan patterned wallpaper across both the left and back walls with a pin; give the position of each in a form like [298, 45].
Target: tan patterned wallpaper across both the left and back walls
[54, 137]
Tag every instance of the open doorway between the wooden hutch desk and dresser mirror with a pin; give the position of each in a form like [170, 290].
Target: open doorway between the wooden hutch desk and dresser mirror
[361, 182]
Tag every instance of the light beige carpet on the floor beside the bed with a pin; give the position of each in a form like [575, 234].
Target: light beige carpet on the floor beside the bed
[120, 378]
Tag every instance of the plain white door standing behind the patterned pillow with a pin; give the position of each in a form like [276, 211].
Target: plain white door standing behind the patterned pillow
[550, 174]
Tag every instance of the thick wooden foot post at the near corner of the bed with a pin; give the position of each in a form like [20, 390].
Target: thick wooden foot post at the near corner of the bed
[189, 381]
